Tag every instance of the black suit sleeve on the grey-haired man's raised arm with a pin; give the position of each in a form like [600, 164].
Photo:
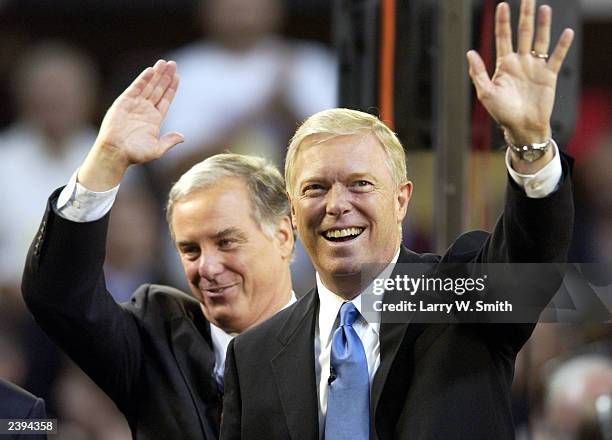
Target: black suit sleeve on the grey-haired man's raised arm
[63, 286]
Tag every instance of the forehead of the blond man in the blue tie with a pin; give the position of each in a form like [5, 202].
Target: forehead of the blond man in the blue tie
[339, 156]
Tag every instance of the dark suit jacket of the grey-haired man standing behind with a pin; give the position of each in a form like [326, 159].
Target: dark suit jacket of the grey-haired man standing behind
[153, 356]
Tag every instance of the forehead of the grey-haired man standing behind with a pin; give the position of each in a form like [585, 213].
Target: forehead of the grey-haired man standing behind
[206, 212]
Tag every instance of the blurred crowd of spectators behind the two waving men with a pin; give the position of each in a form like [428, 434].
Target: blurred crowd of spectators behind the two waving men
[244, 87]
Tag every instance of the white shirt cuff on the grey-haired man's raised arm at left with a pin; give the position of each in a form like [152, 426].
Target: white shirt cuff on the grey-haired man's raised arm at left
[79, 204]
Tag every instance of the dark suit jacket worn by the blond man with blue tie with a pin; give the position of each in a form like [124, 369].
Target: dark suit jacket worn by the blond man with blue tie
[435, 381]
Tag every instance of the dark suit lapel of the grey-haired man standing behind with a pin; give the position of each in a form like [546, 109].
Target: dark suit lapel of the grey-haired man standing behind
[196, 361]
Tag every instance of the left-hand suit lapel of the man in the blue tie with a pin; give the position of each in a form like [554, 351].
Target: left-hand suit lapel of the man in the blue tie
[293, 368]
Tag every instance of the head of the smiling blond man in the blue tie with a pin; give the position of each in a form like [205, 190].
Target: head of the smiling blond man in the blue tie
[348, 210]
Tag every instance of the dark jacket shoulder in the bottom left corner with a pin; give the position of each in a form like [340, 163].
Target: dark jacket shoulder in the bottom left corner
[17, 403]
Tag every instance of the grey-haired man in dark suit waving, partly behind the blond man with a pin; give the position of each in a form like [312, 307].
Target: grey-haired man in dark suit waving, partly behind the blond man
[161, 356]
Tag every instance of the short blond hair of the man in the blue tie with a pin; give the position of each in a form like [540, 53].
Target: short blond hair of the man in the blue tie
[342, 122]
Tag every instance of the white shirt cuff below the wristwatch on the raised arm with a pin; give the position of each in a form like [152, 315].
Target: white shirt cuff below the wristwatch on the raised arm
[544, 182]
